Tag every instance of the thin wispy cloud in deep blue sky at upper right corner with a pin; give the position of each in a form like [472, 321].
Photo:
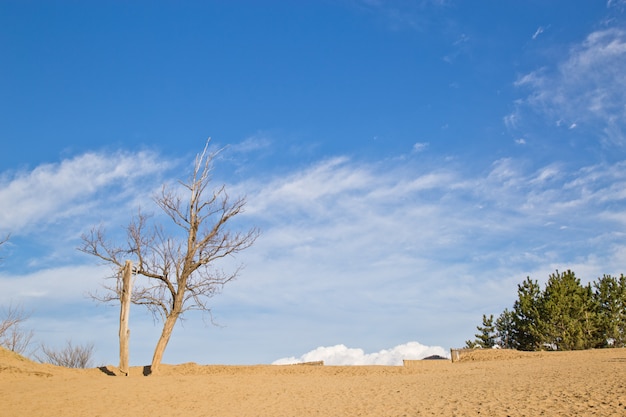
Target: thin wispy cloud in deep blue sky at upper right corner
[587, 89]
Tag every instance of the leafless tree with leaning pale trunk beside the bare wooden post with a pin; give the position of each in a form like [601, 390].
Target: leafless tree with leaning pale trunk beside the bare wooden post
[176, 272]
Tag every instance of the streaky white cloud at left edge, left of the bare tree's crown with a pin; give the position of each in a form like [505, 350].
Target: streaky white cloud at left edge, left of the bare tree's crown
[51, 193]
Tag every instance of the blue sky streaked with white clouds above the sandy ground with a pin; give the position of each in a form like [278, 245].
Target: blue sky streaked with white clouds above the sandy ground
[408, 163]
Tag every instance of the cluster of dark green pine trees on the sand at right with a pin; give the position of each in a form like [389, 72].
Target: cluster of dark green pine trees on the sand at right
[565, 315]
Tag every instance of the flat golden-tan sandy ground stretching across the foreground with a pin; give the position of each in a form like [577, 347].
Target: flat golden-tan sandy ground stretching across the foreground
[485, 383]
